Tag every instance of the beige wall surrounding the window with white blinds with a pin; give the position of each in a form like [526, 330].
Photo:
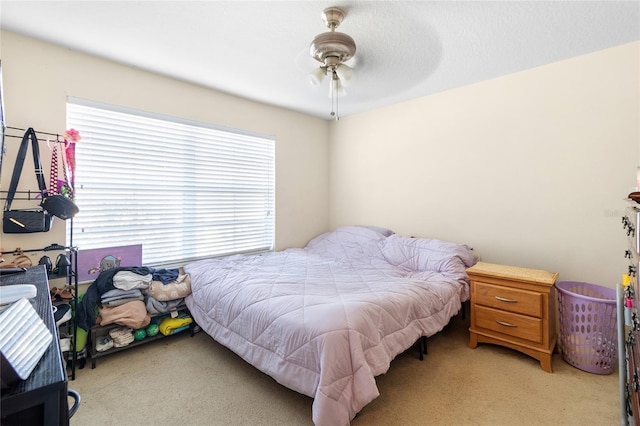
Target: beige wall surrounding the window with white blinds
[38, 78]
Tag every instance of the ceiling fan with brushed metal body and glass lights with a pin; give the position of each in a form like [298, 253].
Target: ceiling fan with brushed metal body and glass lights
[332, 49]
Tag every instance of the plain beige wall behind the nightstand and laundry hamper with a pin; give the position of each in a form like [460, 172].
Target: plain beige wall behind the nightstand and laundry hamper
[530, 169]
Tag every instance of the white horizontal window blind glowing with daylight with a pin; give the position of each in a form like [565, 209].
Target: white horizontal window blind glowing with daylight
[183, 190]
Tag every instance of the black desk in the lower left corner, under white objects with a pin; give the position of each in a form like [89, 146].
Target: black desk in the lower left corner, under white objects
[42, 398]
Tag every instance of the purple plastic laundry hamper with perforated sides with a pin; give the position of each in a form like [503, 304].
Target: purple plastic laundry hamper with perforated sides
[588, 326]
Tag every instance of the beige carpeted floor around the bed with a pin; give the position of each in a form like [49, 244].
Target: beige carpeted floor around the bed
[183, 380]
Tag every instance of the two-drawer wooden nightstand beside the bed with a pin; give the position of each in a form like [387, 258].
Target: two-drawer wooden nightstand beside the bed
[514, 307]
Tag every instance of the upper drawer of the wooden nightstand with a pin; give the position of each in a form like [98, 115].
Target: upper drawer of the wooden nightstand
[508, 299]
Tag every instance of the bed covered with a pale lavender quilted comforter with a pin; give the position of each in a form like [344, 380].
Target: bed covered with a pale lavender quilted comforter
[326, 319]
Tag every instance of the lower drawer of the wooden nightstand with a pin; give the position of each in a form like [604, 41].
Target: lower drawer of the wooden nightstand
[521, 326]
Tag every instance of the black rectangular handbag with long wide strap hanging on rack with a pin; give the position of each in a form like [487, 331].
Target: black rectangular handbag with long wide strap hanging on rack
[28, 220]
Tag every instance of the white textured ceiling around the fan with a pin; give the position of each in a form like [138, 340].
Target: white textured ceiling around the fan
[259, 49]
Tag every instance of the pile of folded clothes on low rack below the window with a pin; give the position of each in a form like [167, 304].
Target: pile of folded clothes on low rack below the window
[129, 297]
